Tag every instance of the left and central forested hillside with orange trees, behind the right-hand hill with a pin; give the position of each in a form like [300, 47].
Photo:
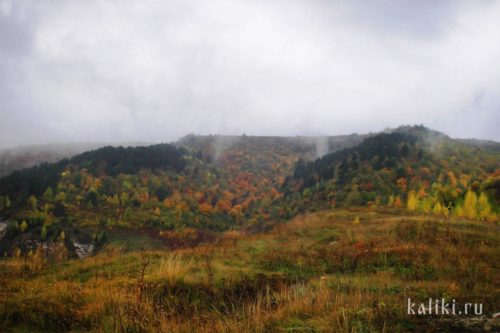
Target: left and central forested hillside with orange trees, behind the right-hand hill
[200, 184]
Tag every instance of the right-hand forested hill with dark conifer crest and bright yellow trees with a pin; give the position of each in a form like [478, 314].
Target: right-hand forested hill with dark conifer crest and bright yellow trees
[427, 168]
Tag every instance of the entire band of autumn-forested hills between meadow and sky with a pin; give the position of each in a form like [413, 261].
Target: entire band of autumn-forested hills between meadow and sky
[201, 185]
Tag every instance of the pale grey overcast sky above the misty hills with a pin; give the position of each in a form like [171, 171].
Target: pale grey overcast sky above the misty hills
[90, 70]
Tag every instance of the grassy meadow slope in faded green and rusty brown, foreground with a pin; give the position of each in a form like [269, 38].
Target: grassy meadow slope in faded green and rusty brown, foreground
[330, 271]
